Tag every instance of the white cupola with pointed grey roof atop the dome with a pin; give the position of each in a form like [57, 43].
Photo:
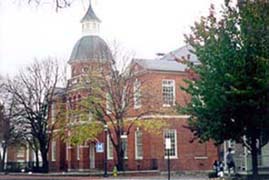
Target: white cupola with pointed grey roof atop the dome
[90, 23]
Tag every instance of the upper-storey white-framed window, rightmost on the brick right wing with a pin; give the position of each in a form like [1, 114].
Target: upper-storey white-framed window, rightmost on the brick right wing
[168, 90]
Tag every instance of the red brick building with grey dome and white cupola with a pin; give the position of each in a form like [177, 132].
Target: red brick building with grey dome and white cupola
[144, 150]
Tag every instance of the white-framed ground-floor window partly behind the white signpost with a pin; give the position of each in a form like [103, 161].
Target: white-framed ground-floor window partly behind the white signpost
[172, 134]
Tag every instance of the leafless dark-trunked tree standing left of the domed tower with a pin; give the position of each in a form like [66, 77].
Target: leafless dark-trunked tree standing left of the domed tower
[33, 89]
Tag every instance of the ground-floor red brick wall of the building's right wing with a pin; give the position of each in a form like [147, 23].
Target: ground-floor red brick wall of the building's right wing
[188, 153]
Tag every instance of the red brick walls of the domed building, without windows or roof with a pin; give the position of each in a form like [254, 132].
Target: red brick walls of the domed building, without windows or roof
[191, 155]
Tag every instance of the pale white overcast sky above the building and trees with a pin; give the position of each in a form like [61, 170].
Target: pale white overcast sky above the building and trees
[145, 27]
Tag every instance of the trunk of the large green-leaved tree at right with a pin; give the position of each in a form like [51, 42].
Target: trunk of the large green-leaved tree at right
[254, 158]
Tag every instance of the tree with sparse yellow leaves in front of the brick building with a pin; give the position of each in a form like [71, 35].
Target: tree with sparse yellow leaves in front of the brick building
[113, 89]
